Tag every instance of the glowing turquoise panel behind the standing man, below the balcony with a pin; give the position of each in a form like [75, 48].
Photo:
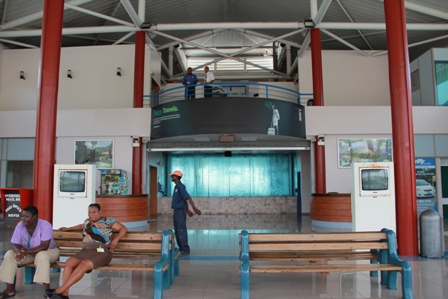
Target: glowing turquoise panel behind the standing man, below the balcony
[240, 175]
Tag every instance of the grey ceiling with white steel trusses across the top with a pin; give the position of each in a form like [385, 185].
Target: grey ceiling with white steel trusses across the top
[216, 28]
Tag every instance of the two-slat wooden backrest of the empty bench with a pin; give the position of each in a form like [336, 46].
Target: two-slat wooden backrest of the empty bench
[259, 242]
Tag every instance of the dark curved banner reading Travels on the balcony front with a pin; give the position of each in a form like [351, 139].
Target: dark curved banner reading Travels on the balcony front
[235, 115]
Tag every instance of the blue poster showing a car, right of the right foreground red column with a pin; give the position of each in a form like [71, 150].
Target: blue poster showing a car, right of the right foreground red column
[425, 174]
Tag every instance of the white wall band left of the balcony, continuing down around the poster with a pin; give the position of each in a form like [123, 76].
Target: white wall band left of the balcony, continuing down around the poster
[92, 124]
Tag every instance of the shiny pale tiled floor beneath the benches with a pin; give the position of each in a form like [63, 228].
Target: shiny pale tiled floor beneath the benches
[211, 271]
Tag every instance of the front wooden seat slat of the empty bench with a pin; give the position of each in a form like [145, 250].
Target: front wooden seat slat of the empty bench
[322, 268]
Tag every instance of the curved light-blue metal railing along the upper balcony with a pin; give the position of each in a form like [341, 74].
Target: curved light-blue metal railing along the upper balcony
[229, 89]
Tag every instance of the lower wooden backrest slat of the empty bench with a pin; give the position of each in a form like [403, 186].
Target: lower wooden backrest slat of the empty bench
[316, 246]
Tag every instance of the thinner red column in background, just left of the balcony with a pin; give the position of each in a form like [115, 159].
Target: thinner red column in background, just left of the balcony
[139, 67]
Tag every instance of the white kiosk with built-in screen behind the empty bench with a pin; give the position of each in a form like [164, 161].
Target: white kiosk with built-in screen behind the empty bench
[373, 196]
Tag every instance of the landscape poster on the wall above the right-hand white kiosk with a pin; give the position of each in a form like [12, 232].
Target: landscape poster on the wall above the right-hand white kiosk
[352, 150]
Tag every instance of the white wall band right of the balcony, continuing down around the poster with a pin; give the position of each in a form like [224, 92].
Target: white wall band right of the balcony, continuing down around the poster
[366, 122]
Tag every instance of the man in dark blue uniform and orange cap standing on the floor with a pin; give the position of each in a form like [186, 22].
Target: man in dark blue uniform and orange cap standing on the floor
[180, 205]
